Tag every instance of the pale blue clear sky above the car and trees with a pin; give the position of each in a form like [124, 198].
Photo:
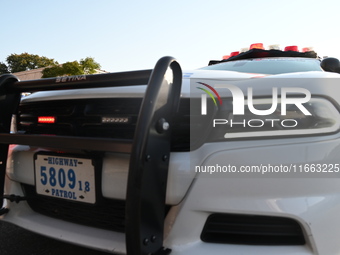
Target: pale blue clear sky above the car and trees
[133, 35]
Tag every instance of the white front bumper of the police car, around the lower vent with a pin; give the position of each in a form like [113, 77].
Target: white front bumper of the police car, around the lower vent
[313, 202]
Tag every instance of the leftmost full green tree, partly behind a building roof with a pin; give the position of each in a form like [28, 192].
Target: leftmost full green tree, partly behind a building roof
[24, 61]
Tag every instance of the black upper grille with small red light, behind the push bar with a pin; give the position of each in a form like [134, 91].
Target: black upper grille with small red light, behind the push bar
[84, 118]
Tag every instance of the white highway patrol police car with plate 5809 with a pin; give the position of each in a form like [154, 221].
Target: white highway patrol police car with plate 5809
[254, 165]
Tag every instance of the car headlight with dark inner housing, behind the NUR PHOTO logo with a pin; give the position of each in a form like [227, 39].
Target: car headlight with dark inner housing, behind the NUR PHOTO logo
[324, 119]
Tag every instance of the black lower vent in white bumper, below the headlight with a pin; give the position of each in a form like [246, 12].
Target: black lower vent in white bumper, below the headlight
[252, 230]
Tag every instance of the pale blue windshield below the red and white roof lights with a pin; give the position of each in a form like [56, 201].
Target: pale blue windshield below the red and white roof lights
[268, 65]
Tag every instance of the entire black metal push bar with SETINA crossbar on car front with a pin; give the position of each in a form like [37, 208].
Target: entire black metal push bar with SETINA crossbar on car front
[149, 151]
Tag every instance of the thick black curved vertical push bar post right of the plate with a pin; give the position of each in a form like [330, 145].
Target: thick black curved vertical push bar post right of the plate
[149, 161]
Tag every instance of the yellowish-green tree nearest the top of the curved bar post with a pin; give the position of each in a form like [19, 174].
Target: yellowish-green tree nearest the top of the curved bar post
[84, 66]
